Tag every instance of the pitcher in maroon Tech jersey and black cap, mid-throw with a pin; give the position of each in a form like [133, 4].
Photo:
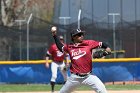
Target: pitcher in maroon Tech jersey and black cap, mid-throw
[80, 52]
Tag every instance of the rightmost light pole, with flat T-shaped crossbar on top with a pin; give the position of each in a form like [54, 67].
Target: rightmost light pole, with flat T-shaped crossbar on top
[114, 31]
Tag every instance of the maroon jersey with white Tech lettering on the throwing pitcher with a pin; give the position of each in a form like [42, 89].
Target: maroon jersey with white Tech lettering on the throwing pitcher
[81, 55]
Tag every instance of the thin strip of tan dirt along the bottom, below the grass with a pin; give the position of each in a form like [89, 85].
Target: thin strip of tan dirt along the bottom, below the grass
[110, 91]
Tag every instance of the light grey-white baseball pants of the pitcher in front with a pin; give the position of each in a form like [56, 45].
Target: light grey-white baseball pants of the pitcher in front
[91, 80]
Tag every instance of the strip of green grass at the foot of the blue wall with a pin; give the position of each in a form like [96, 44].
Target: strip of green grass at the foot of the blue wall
[43, 87]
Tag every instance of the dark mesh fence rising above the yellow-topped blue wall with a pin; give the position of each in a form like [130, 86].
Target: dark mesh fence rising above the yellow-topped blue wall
[13, 41]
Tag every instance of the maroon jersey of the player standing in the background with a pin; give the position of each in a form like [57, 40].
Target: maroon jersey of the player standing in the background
[57, 56]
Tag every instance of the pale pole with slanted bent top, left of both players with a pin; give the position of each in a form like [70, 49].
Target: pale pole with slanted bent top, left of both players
[29, 19]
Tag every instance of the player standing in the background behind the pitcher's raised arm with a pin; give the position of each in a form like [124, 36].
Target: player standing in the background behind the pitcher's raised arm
[57, 63]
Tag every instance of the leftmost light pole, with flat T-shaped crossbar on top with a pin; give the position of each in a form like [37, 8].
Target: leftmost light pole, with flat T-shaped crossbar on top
[20, 38]
